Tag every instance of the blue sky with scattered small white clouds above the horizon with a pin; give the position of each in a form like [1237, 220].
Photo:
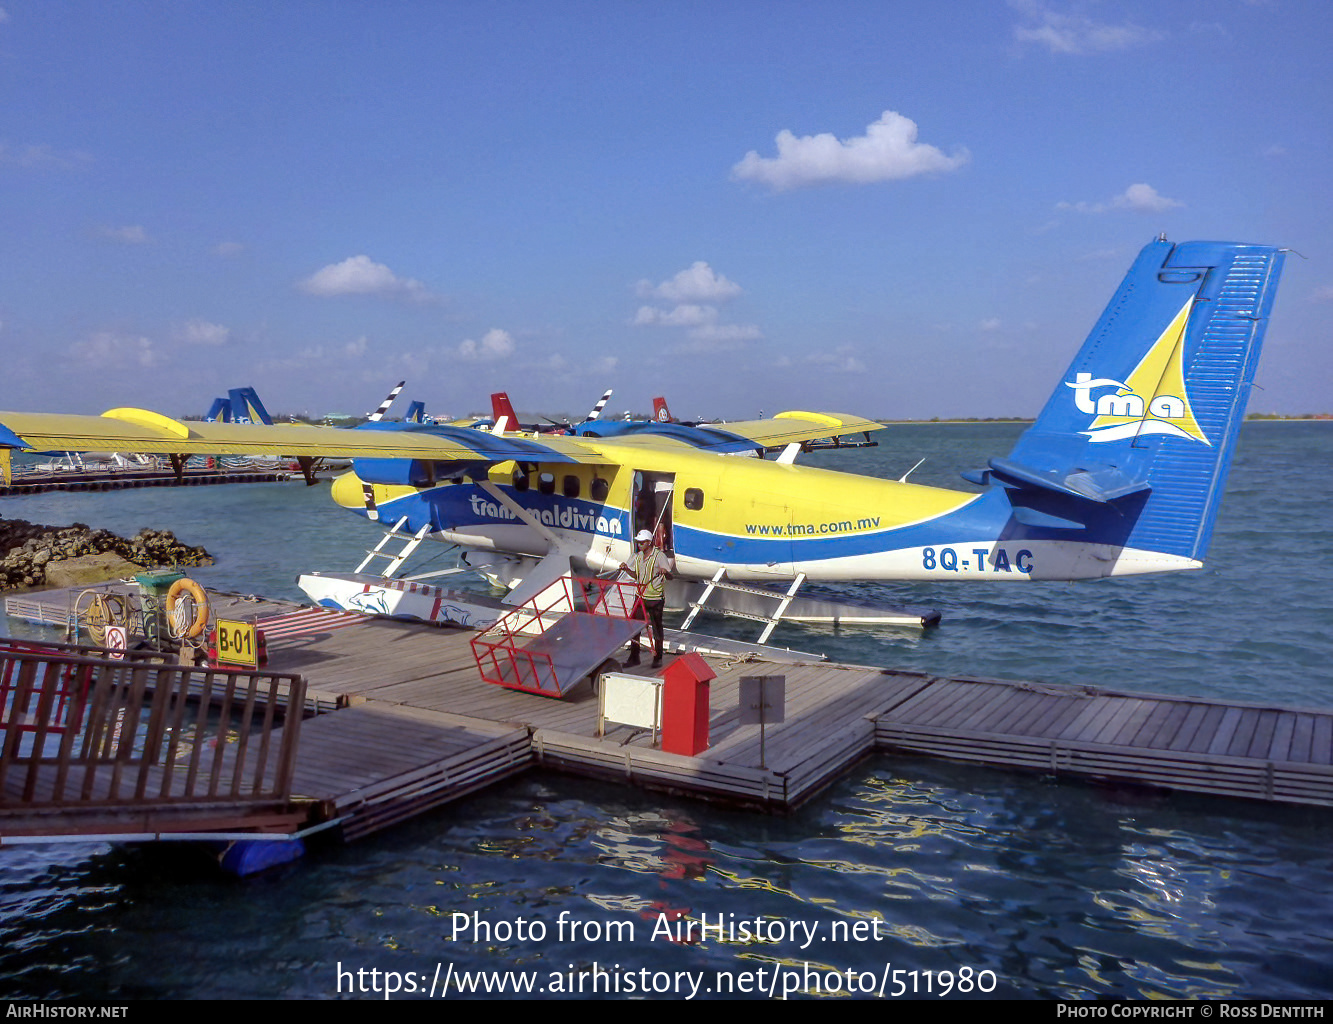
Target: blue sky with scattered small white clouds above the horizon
[900, 210]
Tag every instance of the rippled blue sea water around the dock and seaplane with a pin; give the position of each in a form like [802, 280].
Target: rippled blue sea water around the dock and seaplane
[1058, 889]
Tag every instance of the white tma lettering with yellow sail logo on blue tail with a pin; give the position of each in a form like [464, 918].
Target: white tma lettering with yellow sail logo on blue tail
[1154, 401]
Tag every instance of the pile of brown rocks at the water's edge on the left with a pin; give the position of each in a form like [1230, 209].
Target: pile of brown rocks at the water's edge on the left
[77, 555]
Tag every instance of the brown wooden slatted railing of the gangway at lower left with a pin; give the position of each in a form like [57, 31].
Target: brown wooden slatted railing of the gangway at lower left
[87, 733]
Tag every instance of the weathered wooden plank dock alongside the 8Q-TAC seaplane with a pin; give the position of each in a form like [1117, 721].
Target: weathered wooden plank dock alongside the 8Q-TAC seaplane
[406, 725]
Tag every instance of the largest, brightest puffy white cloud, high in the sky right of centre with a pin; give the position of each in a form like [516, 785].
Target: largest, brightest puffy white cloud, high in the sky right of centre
[887, 153]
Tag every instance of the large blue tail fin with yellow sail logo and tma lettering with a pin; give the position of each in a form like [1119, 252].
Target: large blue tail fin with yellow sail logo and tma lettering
[1135, 445]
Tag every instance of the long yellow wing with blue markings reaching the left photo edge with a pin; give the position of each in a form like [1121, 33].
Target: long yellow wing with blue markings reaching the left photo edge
[143, 431]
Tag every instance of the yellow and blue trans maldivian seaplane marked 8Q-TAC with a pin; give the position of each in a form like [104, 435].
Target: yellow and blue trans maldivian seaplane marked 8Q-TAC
[1120, 474]
